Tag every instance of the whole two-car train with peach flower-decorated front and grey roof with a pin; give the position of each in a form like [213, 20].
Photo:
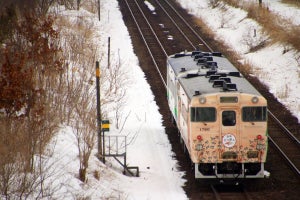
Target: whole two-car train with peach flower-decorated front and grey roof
[221, 117]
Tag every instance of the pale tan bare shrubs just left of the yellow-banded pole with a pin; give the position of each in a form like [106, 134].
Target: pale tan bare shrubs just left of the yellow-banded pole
[78, 100]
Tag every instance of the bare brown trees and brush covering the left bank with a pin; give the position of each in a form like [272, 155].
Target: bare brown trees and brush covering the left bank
[46, 80]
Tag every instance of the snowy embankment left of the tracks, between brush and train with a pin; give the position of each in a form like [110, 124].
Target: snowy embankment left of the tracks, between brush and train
[148, 145]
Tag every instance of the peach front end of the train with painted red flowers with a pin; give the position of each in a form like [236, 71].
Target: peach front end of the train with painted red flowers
[228, 135]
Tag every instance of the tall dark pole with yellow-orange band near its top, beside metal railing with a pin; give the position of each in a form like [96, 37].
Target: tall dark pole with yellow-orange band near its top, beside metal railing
[100, 155]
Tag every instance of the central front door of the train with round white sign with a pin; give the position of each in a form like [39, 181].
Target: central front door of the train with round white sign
[229, 134]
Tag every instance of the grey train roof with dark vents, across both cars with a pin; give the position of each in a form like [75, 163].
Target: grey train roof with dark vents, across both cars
[206, 73]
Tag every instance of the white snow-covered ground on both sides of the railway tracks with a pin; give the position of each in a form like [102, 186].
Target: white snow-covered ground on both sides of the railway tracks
[149, 148]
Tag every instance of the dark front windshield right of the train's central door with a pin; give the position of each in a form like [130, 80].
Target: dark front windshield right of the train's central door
[257, 113]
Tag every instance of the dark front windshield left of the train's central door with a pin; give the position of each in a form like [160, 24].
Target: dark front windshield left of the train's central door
[203, 114]
